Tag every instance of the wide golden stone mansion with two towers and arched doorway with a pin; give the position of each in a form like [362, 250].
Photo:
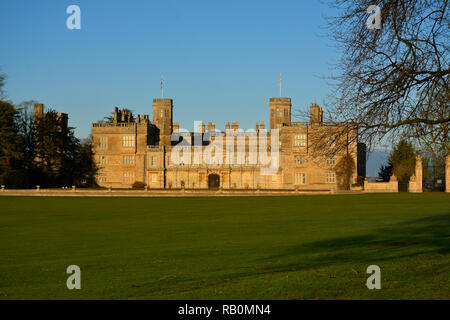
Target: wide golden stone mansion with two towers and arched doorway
[131, 150]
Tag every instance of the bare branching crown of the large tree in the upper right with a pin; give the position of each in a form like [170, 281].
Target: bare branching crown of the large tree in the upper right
[393, 80]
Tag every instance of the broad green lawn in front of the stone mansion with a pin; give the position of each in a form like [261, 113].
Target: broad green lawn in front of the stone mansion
[305, 247]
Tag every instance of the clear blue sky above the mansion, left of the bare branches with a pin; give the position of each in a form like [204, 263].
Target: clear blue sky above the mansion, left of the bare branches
[221, 60]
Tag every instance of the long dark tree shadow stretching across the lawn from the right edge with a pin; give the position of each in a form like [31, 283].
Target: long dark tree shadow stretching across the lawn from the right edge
[413, 238]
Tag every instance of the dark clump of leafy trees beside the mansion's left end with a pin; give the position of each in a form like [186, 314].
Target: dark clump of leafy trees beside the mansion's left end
[41, 150]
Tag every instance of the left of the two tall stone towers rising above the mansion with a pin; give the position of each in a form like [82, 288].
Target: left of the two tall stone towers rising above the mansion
[162, 118]
